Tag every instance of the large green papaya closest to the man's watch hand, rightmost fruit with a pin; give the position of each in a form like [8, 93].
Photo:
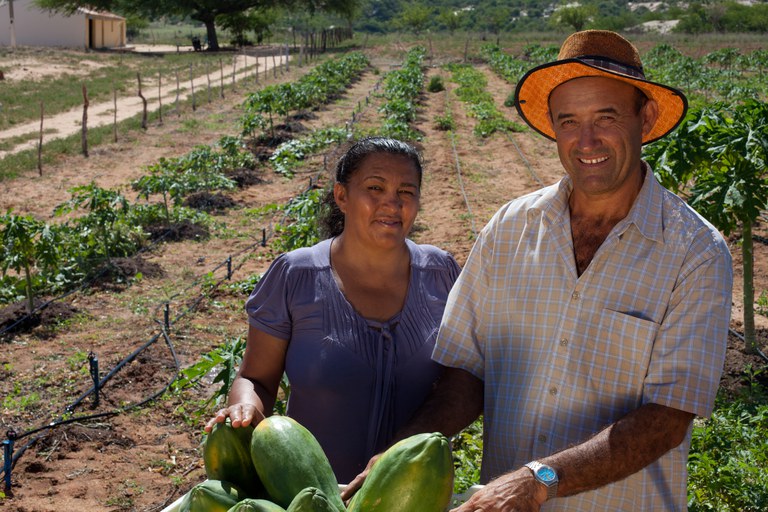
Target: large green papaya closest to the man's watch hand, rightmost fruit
[413, 475]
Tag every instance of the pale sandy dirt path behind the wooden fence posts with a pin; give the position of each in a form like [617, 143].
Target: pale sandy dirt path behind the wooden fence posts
[241, 66]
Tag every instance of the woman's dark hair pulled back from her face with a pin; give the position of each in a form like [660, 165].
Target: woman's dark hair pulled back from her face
[331, 220]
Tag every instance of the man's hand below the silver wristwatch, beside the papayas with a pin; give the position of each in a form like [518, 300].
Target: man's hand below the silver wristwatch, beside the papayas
[513, 492]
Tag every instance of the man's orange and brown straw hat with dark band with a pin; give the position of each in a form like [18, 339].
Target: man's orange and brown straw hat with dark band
[595, 53]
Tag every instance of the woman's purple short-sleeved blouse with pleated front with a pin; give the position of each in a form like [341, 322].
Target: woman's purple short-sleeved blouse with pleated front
[354, 382]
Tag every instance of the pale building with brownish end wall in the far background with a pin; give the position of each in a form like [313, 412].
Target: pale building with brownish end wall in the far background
[22, 23]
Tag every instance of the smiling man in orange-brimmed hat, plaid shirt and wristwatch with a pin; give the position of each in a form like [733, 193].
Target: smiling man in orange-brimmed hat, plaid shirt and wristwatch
[589, 323]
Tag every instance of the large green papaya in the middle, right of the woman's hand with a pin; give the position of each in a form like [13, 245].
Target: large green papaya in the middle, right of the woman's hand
[288, 458]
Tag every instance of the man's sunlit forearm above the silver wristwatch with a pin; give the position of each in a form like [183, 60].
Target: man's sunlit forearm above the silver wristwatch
[620, 450]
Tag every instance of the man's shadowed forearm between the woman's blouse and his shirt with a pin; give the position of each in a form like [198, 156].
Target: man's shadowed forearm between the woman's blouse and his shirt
[455, 402]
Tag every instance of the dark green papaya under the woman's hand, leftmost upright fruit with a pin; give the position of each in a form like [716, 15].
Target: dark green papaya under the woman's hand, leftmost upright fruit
[227, 456]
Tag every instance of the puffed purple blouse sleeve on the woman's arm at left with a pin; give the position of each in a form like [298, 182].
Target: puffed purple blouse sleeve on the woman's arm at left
[267, 306]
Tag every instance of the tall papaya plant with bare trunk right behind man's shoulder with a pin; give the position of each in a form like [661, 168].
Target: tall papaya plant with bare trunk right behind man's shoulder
[718, 158]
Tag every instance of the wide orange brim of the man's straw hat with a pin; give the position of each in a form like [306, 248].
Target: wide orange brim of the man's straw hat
[533, 90]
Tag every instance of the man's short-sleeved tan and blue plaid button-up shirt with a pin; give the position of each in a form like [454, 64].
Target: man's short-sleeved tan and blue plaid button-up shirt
[563, 356]
